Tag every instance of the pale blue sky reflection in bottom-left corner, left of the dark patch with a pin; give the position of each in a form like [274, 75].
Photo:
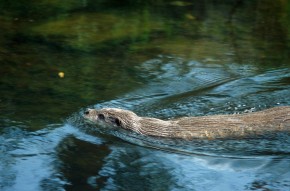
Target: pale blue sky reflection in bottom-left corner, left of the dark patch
[29, 161]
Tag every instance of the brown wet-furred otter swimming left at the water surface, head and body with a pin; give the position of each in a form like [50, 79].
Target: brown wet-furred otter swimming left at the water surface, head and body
[259, 123]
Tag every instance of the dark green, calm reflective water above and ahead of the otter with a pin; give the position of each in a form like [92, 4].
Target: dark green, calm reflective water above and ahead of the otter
[97, 45]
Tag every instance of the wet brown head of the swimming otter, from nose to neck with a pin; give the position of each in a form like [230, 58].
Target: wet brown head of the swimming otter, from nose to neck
[113, 117]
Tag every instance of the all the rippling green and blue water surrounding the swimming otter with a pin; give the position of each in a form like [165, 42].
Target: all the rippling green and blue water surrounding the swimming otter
[157, 58]
